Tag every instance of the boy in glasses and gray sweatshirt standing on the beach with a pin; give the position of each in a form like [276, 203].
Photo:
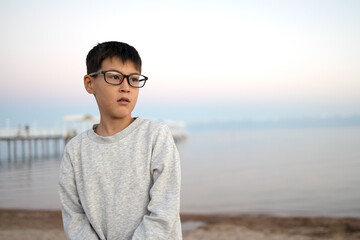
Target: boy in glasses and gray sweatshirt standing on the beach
[121, 179]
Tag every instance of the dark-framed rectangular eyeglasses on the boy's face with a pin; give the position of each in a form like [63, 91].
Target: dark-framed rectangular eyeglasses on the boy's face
[114, 77]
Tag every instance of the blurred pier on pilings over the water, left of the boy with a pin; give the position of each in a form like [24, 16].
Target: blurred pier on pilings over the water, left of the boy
[29, 147]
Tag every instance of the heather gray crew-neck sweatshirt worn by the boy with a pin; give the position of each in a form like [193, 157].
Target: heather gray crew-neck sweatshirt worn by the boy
[125, 186]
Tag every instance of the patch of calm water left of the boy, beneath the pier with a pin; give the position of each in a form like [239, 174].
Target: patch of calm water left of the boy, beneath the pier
[30, 184]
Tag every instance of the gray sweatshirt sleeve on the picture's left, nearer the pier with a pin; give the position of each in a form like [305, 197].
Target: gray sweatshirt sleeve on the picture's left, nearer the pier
[76, 223]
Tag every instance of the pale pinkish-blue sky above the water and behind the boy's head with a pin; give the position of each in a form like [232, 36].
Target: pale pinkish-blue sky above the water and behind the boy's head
[206, 60]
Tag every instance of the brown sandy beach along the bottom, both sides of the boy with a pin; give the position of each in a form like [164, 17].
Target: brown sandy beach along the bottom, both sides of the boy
[47, 225]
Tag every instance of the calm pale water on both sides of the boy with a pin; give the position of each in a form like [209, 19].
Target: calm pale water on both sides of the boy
[310, 171]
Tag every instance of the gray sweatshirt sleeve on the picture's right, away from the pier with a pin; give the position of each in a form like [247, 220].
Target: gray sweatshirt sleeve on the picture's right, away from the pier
[163, 220]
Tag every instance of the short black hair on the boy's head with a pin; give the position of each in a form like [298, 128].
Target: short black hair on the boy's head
[104, 50]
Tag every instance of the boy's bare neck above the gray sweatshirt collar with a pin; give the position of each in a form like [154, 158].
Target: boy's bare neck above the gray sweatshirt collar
[109, 127]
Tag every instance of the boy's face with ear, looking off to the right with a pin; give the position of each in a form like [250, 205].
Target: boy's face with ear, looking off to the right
[114, 101]
